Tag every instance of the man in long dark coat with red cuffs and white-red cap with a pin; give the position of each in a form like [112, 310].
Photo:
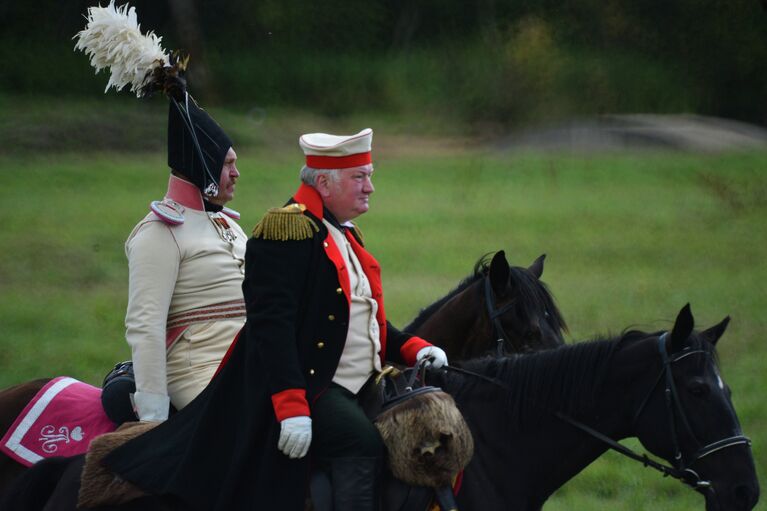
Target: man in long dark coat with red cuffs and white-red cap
[315, 333]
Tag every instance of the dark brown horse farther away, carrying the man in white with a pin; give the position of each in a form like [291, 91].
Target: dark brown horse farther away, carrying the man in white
[497, 307]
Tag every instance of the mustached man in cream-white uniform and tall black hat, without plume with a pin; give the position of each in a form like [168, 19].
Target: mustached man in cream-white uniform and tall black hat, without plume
[186, 266]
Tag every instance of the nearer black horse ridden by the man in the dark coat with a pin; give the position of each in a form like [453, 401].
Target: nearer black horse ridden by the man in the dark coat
[529, 415]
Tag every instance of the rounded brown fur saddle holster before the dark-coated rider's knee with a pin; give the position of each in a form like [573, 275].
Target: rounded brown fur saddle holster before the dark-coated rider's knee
[427, 438]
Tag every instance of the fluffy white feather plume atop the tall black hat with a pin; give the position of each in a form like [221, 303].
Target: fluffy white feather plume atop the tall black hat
[113, 39]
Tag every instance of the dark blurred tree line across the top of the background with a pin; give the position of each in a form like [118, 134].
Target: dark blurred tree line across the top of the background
[498, 60]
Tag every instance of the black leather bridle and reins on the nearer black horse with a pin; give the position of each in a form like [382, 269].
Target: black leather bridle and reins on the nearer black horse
[680, 470]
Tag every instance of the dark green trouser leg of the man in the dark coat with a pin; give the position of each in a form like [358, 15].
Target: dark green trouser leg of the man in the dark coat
[340, 429]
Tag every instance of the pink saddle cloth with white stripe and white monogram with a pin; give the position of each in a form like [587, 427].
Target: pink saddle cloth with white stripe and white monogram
[61, 420]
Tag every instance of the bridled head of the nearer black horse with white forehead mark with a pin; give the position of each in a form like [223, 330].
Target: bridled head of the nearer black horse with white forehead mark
[688, 418]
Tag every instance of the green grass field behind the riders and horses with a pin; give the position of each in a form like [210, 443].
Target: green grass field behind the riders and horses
[630, 238]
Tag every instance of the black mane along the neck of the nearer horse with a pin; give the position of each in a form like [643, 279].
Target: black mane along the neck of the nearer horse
[567, 379]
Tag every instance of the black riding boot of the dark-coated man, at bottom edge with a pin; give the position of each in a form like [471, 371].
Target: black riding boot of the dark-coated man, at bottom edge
[355, 484]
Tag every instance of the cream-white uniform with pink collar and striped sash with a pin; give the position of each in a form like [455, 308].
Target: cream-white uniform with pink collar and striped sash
[185, 303]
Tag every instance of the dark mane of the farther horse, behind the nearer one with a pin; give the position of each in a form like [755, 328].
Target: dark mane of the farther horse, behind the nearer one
[534, 295]
